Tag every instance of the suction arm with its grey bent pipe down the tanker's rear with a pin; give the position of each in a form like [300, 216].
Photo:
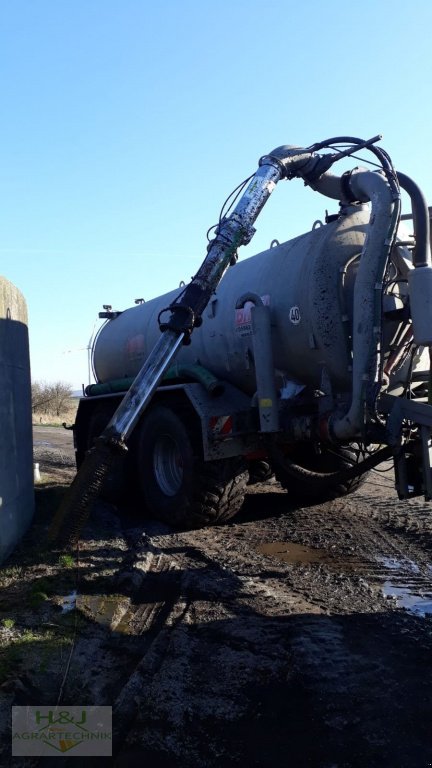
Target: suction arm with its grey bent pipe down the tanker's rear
[237, 229]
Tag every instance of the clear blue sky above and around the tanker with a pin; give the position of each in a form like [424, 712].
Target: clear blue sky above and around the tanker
[124, 126]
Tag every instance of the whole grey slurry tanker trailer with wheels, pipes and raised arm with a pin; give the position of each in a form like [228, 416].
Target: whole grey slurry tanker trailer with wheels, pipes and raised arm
[310, 360]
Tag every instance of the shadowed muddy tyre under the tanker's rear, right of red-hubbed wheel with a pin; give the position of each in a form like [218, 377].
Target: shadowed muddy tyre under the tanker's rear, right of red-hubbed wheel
[307, 471]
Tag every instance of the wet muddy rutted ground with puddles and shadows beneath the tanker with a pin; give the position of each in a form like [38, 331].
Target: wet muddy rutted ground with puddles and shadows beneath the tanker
[293, 636]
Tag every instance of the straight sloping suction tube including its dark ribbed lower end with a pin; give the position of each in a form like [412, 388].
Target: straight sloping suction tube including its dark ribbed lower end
[185, 314]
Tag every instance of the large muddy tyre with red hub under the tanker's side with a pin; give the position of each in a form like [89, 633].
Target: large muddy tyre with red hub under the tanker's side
[178, 487]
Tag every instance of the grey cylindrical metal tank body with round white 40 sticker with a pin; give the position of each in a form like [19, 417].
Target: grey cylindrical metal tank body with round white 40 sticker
[308, 285]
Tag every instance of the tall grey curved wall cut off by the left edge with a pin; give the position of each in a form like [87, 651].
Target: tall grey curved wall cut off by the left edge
[16, 454]
